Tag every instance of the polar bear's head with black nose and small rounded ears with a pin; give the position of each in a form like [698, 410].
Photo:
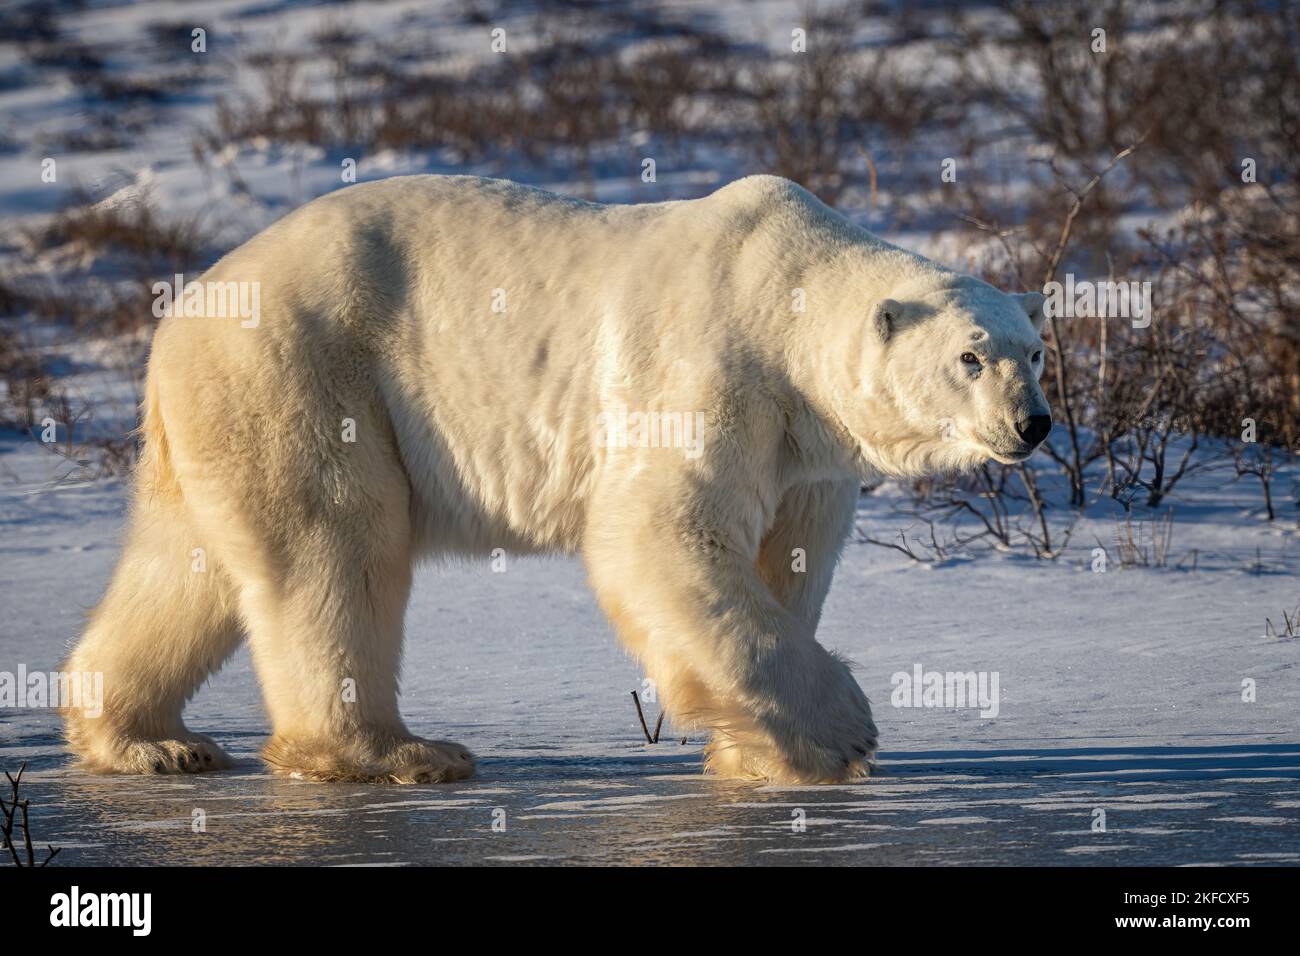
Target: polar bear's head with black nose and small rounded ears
[951, 378]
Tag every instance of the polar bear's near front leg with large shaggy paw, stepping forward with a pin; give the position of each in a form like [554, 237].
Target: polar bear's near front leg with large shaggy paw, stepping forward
[679, 576]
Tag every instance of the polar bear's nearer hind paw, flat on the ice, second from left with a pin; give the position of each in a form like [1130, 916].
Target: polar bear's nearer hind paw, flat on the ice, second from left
[410, 760]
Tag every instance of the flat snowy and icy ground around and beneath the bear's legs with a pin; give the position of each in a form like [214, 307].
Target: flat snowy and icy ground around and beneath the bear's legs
[1120, 691]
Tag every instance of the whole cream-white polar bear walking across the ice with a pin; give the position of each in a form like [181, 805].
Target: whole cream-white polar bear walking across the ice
[449, 366]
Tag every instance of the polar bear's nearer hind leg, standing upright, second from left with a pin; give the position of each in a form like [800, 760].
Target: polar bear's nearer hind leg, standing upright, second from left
[326, 624]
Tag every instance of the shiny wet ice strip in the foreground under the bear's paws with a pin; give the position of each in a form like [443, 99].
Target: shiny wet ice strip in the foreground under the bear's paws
[1216, 803]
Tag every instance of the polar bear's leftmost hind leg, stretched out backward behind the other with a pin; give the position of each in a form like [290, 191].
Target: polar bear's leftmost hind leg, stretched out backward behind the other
[166, 625]
